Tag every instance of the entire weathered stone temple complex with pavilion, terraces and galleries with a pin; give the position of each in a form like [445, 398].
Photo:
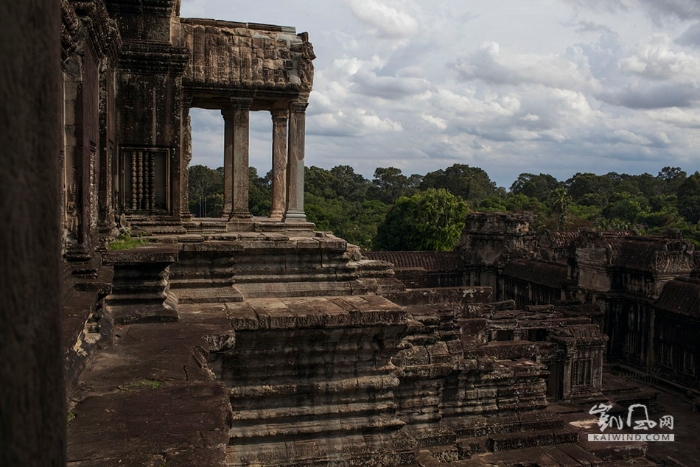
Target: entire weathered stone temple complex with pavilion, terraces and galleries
[247, 341]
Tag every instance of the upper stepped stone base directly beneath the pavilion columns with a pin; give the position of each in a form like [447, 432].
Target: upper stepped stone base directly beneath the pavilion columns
[231, 267]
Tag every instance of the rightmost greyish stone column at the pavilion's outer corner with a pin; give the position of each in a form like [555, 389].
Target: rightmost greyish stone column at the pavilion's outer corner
[295, 167]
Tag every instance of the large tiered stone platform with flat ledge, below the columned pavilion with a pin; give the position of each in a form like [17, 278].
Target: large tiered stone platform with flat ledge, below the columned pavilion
[294, 351]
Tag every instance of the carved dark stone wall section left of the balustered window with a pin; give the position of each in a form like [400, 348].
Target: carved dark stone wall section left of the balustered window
[90, 43]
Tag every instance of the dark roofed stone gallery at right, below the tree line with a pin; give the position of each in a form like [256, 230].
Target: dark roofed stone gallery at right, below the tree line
[645, 287]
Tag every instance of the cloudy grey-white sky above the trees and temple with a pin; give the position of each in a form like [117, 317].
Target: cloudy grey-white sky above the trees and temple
[511, 86]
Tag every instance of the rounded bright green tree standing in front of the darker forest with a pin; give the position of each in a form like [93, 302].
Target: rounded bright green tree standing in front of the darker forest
[429, 220]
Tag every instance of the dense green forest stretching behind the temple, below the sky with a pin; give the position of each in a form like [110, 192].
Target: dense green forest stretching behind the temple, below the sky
[394, 211]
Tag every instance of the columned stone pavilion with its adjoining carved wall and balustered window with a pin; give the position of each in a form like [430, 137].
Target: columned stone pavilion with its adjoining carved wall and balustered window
[128, 91]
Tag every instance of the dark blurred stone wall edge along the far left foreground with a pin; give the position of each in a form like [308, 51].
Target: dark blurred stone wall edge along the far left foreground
[33, 421]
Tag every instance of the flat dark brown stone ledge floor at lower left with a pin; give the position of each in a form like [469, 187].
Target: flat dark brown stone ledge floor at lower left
[150, 399]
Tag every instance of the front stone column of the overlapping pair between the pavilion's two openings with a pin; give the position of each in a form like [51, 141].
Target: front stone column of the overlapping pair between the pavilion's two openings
[241, 143]
